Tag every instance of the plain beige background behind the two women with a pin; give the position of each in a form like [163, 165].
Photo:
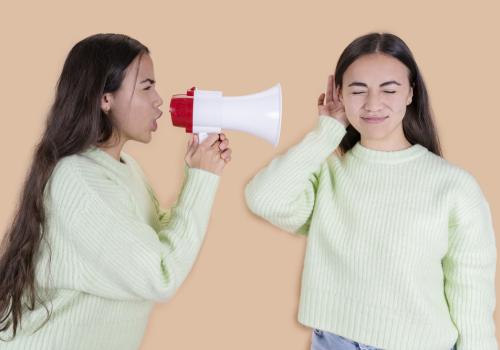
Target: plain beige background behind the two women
[243, 291]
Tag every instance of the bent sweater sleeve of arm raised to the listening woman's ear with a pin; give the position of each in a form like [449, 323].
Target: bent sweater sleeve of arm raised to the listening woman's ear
[283, 193]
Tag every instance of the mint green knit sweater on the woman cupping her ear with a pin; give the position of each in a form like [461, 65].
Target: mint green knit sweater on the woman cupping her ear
[400, 244]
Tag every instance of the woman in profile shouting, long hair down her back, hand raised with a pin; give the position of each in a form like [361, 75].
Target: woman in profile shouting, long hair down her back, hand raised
[90, 249]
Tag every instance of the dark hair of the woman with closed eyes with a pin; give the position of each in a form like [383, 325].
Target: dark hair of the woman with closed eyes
[418, 125]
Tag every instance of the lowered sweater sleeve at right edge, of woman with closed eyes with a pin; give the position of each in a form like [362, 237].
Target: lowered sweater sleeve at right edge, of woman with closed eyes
[469, 270]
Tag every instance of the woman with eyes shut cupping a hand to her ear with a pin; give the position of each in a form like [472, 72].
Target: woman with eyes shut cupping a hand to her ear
[400, 244]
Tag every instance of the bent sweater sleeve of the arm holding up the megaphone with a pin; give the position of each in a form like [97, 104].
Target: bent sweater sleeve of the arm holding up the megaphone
[122, 257]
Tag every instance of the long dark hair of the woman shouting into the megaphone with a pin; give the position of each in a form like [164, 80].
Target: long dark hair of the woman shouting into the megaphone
[94, 66]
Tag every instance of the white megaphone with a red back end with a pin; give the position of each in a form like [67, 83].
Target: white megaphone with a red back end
[202, 112]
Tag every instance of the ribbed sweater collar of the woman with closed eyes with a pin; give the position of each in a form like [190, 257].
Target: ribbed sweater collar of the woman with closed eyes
[388, 157]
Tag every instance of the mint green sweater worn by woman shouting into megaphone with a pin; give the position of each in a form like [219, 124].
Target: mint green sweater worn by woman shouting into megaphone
[115, 252]
